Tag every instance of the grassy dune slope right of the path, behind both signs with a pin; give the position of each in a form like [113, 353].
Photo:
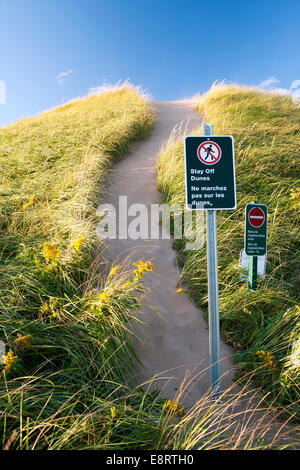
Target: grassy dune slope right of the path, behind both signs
[266, 129]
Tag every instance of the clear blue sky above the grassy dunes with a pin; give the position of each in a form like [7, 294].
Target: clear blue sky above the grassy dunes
[54, 50]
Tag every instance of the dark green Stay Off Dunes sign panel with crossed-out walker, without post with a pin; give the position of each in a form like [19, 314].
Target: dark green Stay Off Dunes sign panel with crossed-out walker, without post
[209, 172]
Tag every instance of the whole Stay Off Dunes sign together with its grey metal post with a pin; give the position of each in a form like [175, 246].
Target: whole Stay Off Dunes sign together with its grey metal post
[210, 185]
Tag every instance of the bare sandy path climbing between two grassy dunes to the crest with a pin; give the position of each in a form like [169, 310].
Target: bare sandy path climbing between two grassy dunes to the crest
[178, 342]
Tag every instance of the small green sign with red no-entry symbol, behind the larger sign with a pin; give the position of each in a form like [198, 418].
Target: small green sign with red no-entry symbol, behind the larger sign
[256, 229]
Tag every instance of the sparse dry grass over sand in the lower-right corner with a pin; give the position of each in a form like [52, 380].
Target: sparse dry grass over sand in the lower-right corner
[237, 420]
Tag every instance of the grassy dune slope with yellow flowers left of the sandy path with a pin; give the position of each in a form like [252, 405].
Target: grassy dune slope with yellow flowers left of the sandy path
[71, 363]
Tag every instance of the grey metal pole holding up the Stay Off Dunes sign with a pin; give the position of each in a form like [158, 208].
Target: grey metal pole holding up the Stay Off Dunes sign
[213, 292]
